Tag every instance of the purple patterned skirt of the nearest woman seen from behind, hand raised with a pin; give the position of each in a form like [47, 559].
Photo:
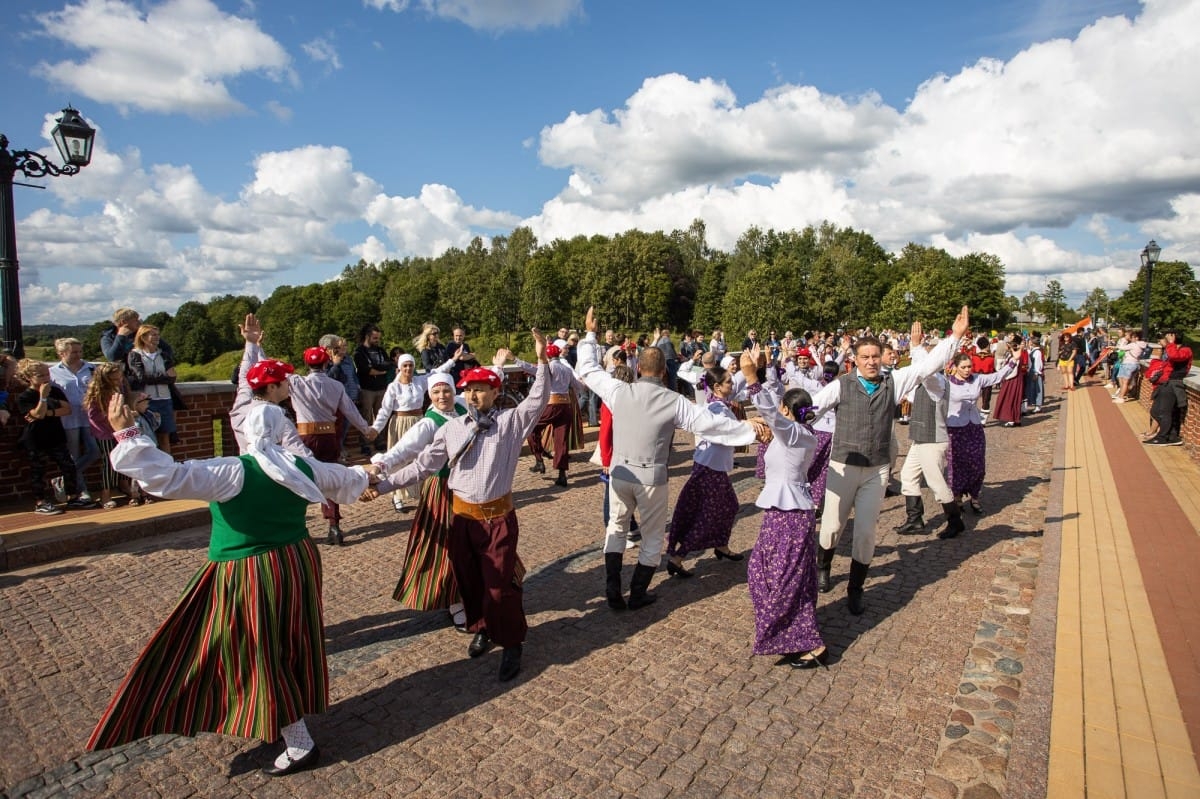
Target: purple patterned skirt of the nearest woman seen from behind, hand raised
[783, 581]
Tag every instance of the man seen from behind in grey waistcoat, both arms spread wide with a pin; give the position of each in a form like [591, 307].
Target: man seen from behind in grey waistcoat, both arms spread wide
[645, 417]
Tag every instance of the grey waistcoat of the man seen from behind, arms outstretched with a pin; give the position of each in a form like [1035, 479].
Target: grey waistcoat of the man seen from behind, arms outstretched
[643, 430]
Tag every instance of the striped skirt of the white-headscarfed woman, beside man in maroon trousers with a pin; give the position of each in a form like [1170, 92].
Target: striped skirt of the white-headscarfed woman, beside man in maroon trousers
[427, 579]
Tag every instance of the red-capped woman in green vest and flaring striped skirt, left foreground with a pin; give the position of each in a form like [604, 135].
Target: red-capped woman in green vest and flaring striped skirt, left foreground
[243, 653]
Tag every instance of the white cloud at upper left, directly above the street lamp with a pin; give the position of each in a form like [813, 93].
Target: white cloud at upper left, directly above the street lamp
[173, 58]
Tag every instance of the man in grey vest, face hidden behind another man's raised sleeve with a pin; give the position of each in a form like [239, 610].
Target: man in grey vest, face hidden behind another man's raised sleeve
[927, 454]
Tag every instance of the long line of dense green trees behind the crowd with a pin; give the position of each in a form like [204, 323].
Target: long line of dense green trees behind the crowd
[825, 278]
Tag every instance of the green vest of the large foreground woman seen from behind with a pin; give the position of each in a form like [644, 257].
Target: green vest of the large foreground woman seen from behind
[262, 518]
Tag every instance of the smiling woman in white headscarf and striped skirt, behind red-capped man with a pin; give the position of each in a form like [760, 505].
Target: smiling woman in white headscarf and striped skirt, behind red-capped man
[427, 581]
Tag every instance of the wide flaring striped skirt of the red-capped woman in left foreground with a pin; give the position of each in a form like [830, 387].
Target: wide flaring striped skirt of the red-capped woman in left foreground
[243, 654]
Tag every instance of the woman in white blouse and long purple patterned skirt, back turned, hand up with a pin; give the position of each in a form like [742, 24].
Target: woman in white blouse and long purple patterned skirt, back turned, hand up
[782, 574]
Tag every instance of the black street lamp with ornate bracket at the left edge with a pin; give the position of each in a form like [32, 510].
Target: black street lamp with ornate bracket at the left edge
[74, 139]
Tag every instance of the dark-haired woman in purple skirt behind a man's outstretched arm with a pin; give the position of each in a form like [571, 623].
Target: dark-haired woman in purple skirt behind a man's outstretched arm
[707, 504]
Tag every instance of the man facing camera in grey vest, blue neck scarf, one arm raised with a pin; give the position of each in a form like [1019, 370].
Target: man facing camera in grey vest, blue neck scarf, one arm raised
[861, 460]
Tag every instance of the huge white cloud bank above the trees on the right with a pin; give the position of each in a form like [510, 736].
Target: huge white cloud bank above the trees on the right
[1097, 129]
